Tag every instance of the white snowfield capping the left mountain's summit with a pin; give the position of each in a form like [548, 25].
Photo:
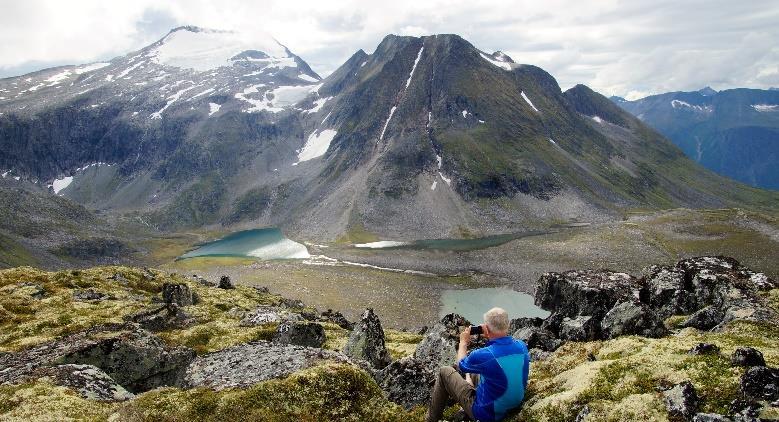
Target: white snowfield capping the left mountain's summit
[206, 49]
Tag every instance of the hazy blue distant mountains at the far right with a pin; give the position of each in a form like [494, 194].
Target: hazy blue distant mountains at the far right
[734, 132]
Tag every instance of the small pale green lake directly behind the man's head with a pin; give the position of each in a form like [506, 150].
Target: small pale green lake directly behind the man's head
[473, 303]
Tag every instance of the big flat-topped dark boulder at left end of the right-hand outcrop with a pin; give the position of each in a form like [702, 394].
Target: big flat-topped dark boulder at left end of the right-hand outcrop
[588, 292]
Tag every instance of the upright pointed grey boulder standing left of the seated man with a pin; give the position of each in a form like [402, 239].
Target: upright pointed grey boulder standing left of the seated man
[367, 341]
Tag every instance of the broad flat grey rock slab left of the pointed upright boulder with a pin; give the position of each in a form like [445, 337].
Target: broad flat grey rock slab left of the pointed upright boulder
[249, 363]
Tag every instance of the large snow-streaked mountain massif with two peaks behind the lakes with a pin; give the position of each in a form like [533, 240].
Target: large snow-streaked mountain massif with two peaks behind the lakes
[425, 137]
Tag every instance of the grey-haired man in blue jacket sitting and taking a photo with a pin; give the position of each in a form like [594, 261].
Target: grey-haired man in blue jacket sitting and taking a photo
[502, 367]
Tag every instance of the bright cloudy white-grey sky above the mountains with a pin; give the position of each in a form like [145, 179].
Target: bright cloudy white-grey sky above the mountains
[628, 48]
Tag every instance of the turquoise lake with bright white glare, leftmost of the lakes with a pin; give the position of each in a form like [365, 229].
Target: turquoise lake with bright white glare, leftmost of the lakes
[267, 243]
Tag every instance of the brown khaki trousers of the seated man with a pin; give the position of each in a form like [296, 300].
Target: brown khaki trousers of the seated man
[450, 384]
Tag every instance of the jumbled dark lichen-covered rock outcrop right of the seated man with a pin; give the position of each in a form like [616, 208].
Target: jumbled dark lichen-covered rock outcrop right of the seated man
[601, 304]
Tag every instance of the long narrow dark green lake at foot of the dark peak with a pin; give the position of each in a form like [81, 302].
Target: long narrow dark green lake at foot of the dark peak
[451, 244]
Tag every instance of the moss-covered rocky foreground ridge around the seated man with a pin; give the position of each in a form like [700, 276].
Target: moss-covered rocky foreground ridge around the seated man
[583, 348]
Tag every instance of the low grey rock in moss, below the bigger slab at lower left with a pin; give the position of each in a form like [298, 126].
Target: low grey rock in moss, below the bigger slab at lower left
[89, 381]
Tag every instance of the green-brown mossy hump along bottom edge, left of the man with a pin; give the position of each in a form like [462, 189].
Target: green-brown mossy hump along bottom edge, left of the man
[328, 392]
